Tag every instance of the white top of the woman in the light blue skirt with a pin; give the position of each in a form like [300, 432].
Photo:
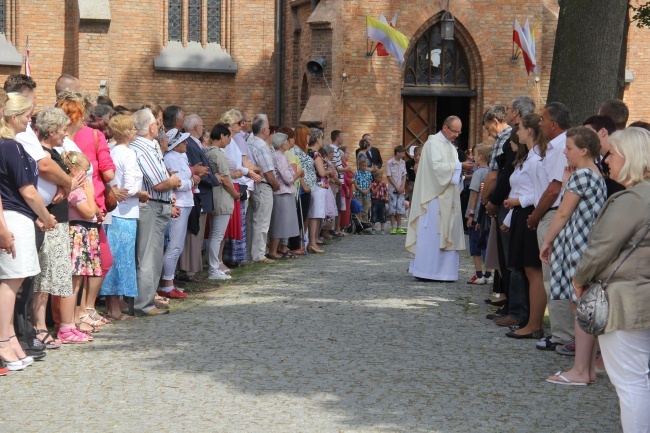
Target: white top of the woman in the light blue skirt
[127, 175]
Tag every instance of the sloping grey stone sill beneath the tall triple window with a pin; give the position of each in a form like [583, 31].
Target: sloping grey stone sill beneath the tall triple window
[195, 58]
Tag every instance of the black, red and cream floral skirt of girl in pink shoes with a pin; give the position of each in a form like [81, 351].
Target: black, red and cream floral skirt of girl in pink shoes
[85, 255]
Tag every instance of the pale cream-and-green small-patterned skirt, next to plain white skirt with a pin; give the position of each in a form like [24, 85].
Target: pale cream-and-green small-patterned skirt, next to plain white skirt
[54, 257]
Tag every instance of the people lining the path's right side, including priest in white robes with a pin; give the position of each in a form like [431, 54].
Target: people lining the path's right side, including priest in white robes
[553, 207]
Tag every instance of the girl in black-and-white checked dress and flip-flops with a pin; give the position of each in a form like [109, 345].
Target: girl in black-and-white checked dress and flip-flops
[585, 193]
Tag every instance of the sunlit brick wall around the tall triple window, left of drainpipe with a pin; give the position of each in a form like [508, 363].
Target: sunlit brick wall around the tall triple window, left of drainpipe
[123, 54]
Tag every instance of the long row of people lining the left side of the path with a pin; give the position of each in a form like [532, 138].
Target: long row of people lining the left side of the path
[104, 201]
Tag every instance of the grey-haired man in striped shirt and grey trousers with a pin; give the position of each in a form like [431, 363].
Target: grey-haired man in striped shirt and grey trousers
[154, 215]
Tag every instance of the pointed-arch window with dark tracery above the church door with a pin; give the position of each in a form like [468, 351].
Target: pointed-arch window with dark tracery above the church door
[435, 62]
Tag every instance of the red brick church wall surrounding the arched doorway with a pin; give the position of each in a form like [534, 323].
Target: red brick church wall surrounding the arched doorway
[371, 99]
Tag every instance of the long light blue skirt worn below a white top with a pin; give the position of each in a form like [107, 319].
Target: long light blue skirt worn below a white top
[121, 279]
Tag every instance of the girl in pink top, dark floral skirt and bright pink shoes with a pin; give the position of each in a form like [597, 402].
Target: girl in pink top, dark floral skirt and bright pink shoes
[84, 238]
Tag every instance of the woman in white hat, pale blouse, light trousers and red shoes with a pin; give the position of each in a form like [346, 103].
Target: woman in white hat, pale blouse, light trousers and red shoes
[176, 161]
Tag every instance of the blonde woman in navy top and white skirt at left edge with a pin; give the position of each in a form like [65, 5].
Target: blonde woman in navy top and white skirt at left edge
[22, 205]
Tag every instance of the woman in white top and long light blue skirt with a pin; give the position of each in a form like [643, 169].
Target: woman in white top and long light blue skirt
[121, 279]
